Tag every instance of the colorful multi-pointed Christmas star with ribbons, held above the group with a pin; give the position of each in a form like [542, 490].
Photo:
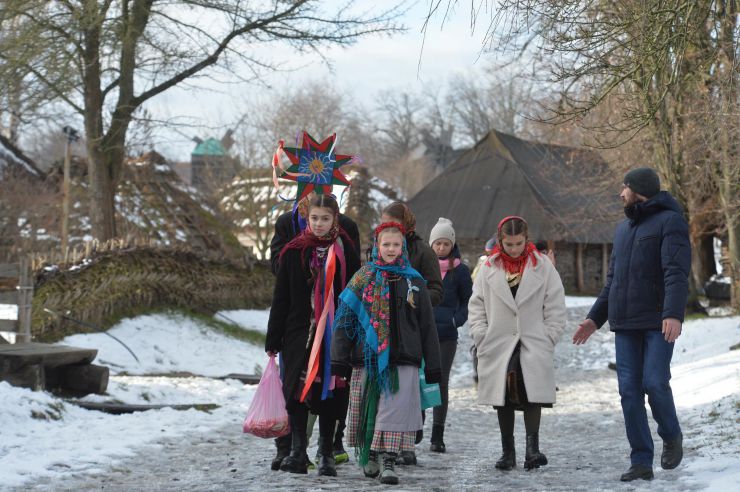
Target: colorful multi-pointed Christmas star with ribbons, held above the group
[314, 166]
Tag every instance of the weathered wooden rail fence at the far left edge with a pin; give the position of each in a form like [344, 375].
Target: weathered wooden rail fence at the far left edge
[21, 275]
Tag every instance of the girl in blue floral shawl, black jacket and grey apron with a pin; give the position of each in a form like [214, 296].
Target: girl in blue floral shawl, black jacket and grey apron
[384, 327]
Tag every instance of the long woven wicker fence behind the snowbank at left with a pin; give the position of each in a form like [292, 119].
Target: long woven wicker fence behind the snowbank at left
[104, 285]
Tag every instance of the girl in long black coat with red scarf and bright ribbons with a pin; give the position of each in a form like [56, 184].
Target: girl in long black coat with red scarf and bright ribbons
[313, 269]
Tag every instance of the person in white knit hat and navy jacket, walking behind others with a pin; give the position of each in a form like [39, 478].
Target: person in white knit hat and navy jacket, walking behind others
[451, 314]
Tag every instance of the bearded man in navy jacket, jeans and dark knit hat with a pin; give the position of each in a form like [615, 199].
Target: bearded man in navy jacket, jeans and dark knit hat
[644, 301]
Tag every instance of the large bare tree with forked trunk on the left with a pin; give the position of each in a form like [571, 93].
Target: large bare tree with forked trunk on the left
[105, 58]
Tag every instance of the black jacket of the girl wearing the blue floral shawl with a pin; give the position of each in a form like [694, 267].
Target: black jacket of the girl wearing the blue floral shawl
[413, 336]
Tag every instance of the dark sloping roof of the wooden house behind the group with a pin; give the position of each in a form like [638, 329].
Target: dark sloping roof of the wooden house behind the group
[565, 193]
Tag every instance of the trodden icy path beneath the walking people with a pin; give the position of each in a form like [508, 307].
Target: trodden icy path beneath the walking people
[582, 435]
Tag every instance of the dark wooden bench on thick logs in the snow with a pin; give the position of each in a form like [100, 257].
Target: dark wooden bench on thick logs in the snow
[42, 366]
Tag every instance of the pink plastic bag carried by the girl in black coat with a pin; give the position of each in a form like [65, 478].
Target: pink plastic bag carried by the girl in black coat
[267, 416]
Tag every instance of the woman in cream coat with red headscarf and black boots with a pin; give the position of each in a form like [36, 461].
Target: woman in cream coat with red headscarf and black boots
[517, 314]
